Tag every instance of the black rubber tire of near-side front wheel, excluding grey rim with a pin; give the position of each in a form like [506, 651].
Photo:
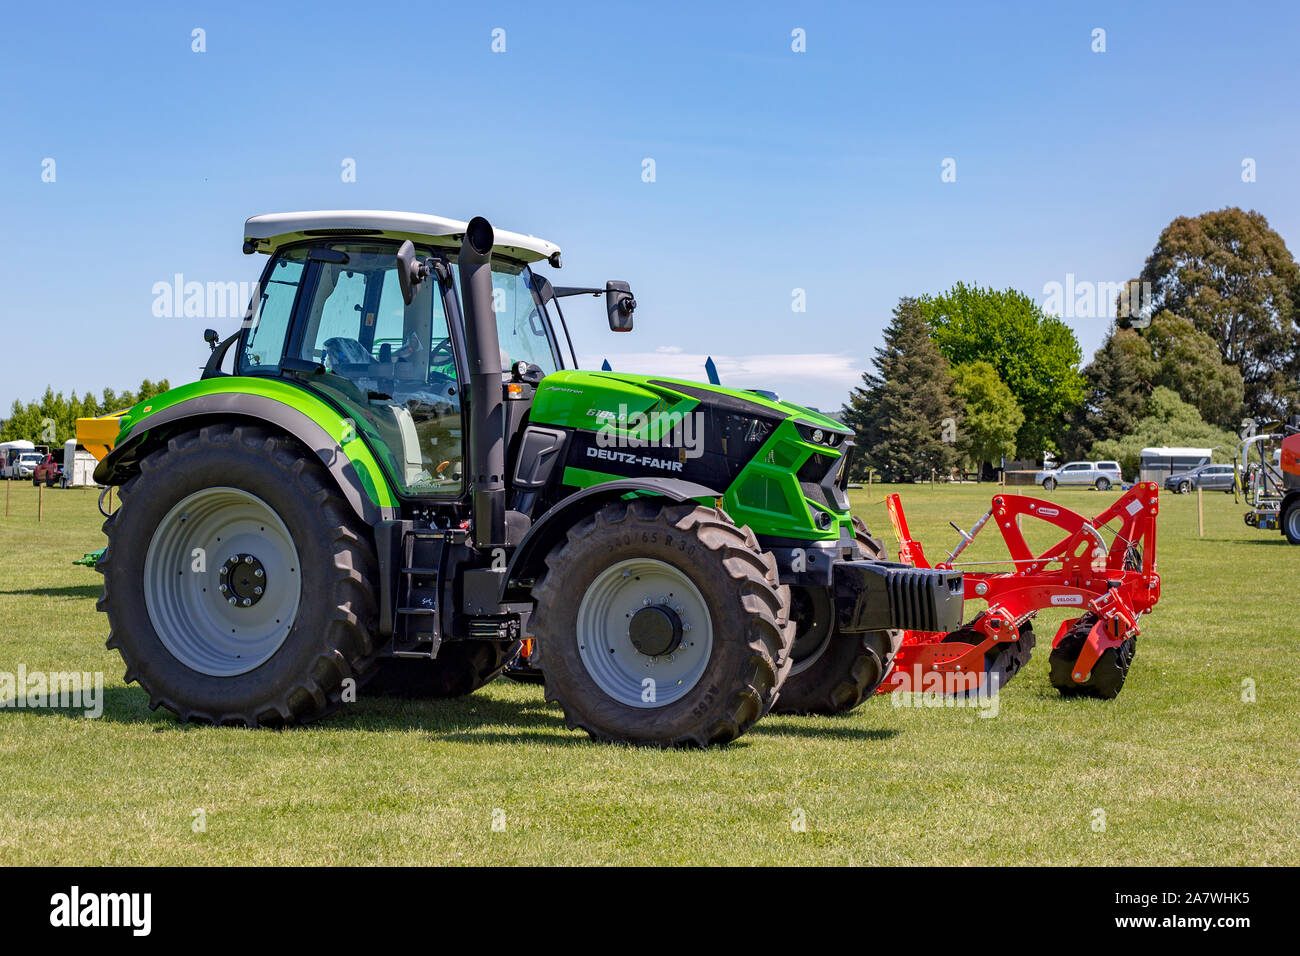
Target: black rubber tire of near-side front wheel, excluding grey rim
[749, 641]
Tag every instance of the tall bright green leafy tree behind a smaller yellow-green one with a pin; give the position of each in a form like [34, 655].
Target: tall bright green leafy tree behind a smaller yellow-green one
[1037, 356]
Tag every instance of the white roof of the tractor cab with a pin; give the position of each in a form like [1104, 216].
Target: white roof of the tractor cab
[275, 230]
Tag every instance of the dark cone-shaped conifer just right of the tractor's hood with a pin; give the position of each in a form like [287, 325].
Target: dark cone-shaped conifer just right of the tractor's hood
[905, 417]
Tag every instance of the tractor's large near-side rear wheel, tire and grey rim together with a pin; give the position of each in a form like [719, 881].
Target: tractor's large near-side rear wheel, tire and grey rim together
[237, 582]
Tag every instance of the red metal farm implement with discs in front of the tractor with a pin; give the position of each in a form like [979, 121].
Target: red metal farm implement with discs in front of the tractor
[1112, 585]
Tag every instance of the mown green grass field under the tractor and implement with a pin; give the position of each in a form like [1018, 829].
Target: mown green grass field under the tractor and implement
[1184, 769]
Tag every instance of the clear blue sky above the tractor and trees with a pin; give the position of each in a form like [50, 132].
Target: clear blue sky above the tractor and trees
[774, 170]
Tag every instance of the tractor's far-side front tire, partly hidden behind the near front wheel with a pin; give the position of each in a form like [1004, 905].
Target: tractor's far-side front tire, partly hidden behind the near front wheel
[847, 669]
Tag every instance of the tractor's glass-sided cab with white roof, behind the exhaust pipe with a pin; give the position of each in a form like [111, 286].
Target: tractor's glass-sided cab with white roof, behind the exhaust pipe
[337, 310]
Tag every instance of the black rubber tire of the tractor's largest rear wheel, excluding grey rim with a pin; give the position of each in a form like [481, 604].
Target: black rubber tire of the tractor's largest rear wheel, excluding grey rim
[330, 641]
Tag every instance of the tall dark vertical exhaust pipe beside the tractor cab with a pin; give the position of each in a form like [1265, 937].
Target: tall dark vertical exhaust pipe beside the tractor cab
[487, 427]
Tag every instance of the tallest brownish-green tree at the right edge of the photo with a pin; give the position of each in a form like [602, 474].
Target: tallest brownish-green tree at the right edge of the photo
[1233, 278]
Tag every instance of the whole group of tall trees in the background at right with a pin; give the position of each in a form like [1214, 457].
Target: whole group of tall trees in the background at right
[974, 375]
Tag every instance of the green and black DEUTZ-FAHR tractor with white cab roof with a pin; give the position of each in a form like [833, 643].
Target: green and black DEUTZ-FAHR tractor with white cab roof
[401, 486]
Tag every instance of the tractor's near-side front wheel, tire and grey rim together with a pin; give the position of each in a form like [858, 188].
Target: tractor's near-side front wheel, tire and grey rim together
[662, 625]
